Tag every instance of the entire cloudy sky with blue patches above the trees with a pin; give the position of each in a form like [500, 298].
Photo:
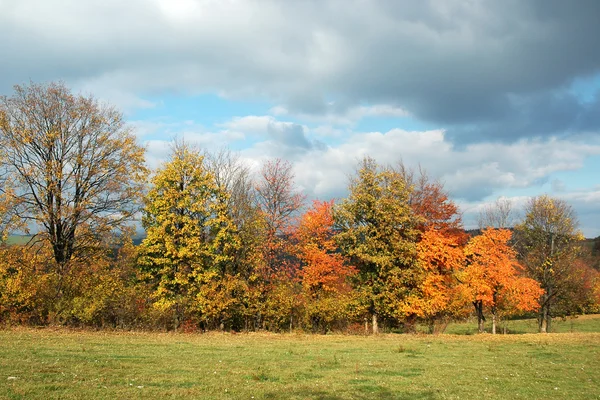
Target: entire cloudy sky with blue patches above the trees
[496, 99]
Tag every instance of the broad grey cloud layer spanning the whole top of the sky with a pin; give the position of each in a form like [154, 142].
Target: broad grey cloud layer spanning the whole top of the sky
[484, 70]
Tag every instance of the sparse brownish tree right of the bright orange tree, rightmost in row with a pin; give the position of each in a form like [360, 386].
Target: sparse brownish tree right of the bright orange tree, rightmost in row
[549, 243]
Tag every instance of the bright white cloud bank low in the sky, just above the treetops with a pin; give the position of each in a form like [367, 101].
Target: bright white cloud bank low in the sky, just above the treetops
[473, 174]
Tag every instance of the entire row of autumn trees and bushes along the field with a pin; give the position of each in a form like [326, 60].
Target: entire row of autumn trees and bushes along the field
[228, 249]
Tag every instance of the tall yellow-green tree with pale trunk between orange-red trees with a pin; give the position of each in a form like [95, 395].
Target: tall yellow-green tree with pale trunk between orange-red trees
[378, 232]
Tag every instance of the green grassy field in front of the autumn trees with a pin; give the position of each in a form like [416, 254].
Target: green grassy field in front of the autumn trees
[53, 364]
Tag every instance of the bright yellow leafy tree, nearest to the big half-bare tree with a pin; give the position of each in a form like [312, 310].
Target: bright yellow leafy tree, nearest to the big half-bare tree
[188, 231]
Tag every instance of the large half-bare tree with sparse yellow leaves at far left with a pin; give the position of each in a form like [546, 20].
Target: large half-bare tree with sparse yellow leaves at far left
[73, 167]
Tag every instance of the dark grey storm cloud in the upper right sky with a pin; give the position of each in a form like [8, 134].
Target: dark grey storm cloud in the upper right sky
[502, 69]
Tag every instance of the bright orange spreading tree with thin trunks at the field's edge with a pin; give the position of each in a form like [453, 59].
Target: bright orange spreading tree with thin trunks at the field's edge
[493, 278]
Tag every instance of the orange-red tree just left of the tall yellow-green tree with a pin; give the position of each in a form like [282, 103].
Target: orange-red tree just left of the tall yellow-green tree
[325, 272]
